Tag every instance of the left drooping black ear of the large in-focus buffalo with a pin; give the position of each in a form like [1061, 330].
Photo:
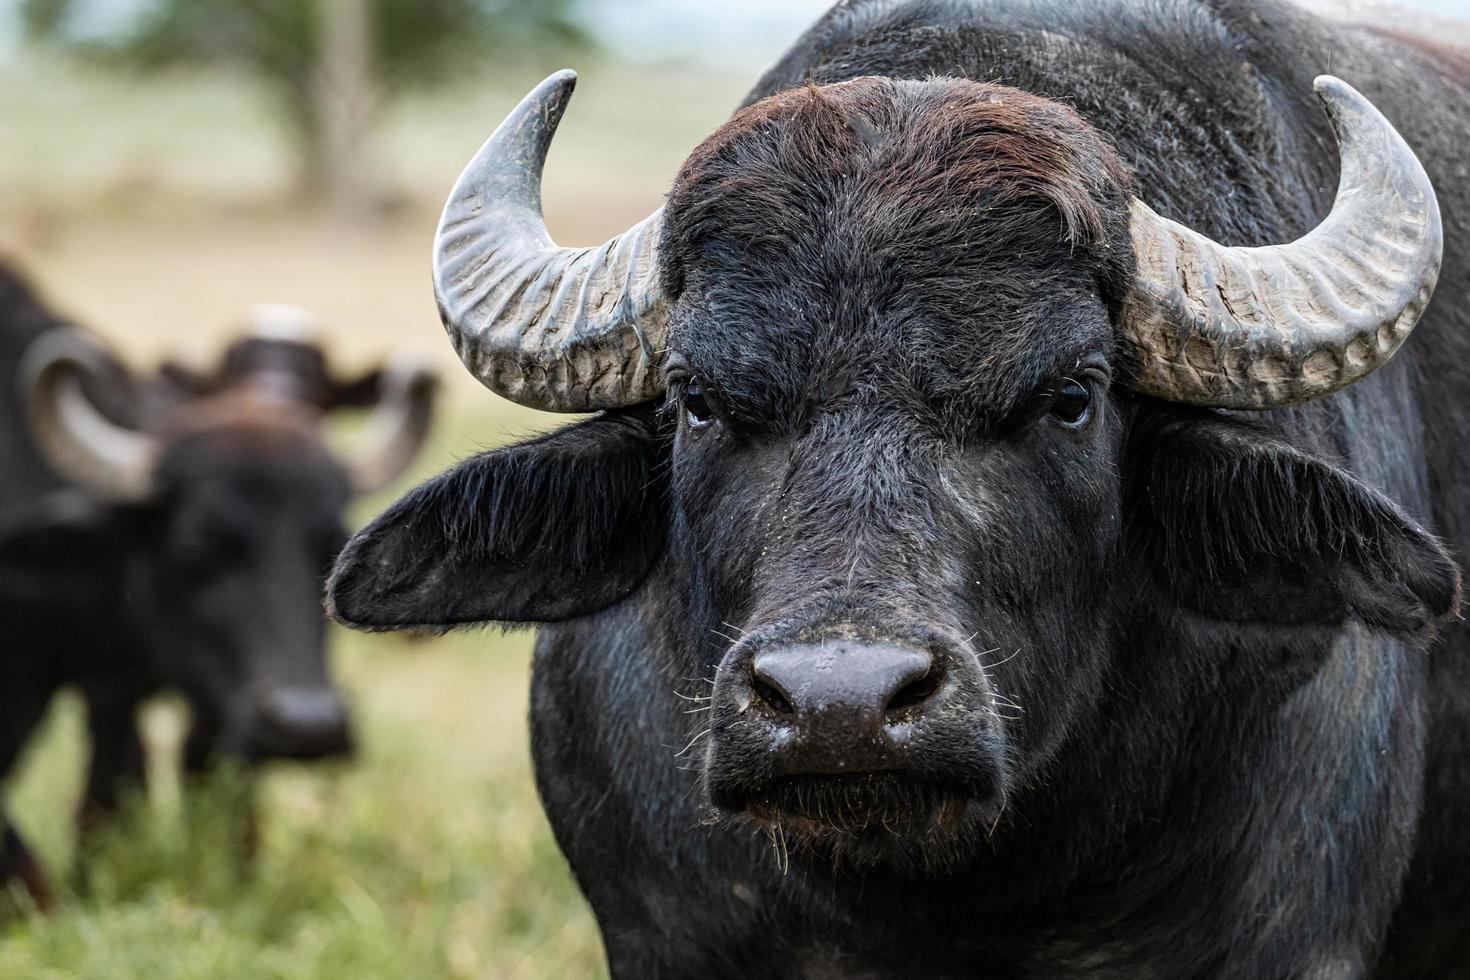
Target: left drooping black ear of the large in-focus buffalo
[545, 531]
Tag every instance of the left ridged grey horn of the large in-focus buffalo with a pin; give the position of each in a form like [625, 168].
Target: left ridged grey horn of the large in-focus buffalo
[564, 330]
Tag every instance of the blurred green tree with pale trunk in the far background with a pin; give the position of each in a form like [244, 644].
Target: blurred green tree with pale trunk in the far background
[331, 64]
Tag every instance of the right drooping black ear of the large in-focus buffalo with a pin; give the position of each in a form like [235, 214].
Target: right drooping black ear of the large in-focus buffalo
[1249, 530]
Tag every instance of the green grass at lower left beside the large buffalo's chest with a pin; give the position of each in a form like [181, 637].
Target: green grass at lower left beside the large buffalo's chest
[426, 857]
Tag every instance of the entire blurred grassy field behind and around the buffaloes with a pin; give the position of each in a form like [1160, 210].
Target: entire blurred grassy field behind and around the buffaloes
[155, 211]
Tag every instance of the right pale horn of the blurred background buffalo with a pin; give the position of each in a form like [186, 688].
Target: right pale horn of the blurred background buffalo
[396, 430]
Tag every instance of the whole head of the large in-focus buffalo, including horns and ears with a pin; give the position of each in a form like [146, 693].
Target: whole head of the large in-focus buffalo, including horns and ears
[937, 443]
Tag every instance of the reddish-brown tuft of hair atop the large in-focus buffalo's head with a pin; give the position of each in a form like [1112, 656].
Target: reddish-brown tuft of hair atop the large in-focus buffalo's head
[936, 152]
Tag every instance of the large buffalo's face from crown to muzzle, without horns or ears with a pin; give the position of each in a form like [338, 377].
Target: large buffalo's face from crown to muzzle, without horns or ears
[906, 502]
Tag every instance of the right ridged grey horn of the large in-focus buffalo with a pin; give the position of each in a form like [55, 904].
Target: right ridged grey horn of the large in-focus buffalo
[1261, 328]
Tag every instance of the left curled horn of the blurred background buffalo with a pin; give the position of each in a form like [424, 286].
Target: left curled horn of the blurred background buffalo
[74, 436]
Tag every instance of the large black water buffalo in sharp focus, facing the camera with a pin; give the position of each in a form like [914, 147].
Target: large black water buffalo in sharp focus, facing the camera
[997, 556]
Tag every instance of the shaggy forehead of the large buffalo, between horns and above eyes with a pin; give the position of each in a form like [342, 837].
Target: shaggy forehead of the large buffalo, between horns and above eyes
[924, 242]
